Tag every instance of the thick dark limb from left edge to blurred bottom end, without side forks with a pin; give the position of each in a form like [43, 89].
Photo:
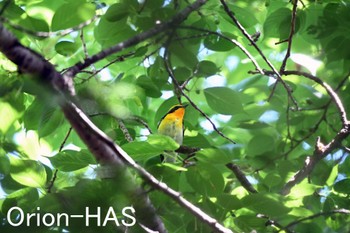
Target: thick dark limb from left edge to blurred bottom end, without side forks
[105, 151]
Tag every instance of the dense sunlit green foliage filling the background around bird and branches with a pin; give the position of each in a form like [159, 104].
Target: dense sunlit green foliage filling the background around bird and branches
[275, 128]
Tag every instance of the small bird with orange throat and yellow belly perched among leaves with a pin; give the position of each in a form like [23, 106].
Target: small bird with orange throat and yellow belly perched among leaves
[172, 125]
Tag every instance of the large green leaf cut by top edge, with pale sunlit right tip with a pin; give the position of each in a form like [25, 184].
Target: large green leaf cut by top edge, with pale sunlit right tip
[72, 14]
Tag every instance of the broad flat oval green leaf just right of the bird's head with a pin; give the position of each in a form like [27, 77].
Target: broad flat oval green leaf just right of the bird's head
[223, 100]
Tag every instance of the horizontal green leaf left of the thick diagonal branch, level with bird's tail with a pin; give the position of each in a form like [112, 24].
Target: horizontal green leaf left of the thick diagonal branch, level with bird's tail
[70, 160]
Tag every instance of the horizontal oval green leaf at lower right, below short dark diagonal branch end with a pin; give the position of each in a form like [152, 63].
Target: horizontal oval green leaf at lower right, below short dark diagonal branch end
[268, 204]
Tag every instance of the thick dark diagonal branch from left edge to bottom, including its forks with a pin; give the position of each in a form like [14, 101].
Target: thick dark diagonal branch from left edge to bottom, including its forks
[104, 149]
